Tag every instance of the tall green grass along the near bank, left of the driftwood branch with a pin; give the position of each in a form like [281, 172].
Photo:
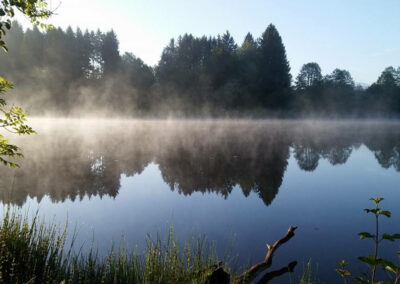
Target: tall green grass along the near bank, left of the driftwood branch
[33, 252]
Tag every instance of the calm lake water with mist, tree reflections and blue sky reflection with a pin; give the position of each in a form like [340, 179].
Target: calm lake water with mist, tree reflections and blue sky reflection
[241, 180]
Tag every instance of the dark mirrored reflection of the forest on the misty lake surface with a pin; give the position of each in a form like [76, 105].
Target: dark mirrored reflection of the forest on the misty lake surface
[72, 161]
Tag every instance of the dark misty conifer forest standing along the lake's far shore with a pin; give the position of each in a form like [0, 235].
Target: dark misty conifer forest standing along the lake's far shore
[69, 72]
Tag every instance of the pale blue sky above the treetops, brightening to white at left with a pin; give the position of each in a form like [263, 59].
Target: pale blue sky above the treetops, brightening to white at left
[362, 36]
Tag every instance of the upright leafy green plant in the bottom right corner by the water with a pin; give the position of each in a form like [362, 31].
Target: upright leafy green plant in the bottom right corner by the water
[374, 261]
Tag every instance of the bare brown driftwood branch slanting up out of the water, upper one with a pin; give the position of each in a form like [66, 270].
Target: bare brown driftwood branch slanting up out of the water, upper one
[250, 274]
